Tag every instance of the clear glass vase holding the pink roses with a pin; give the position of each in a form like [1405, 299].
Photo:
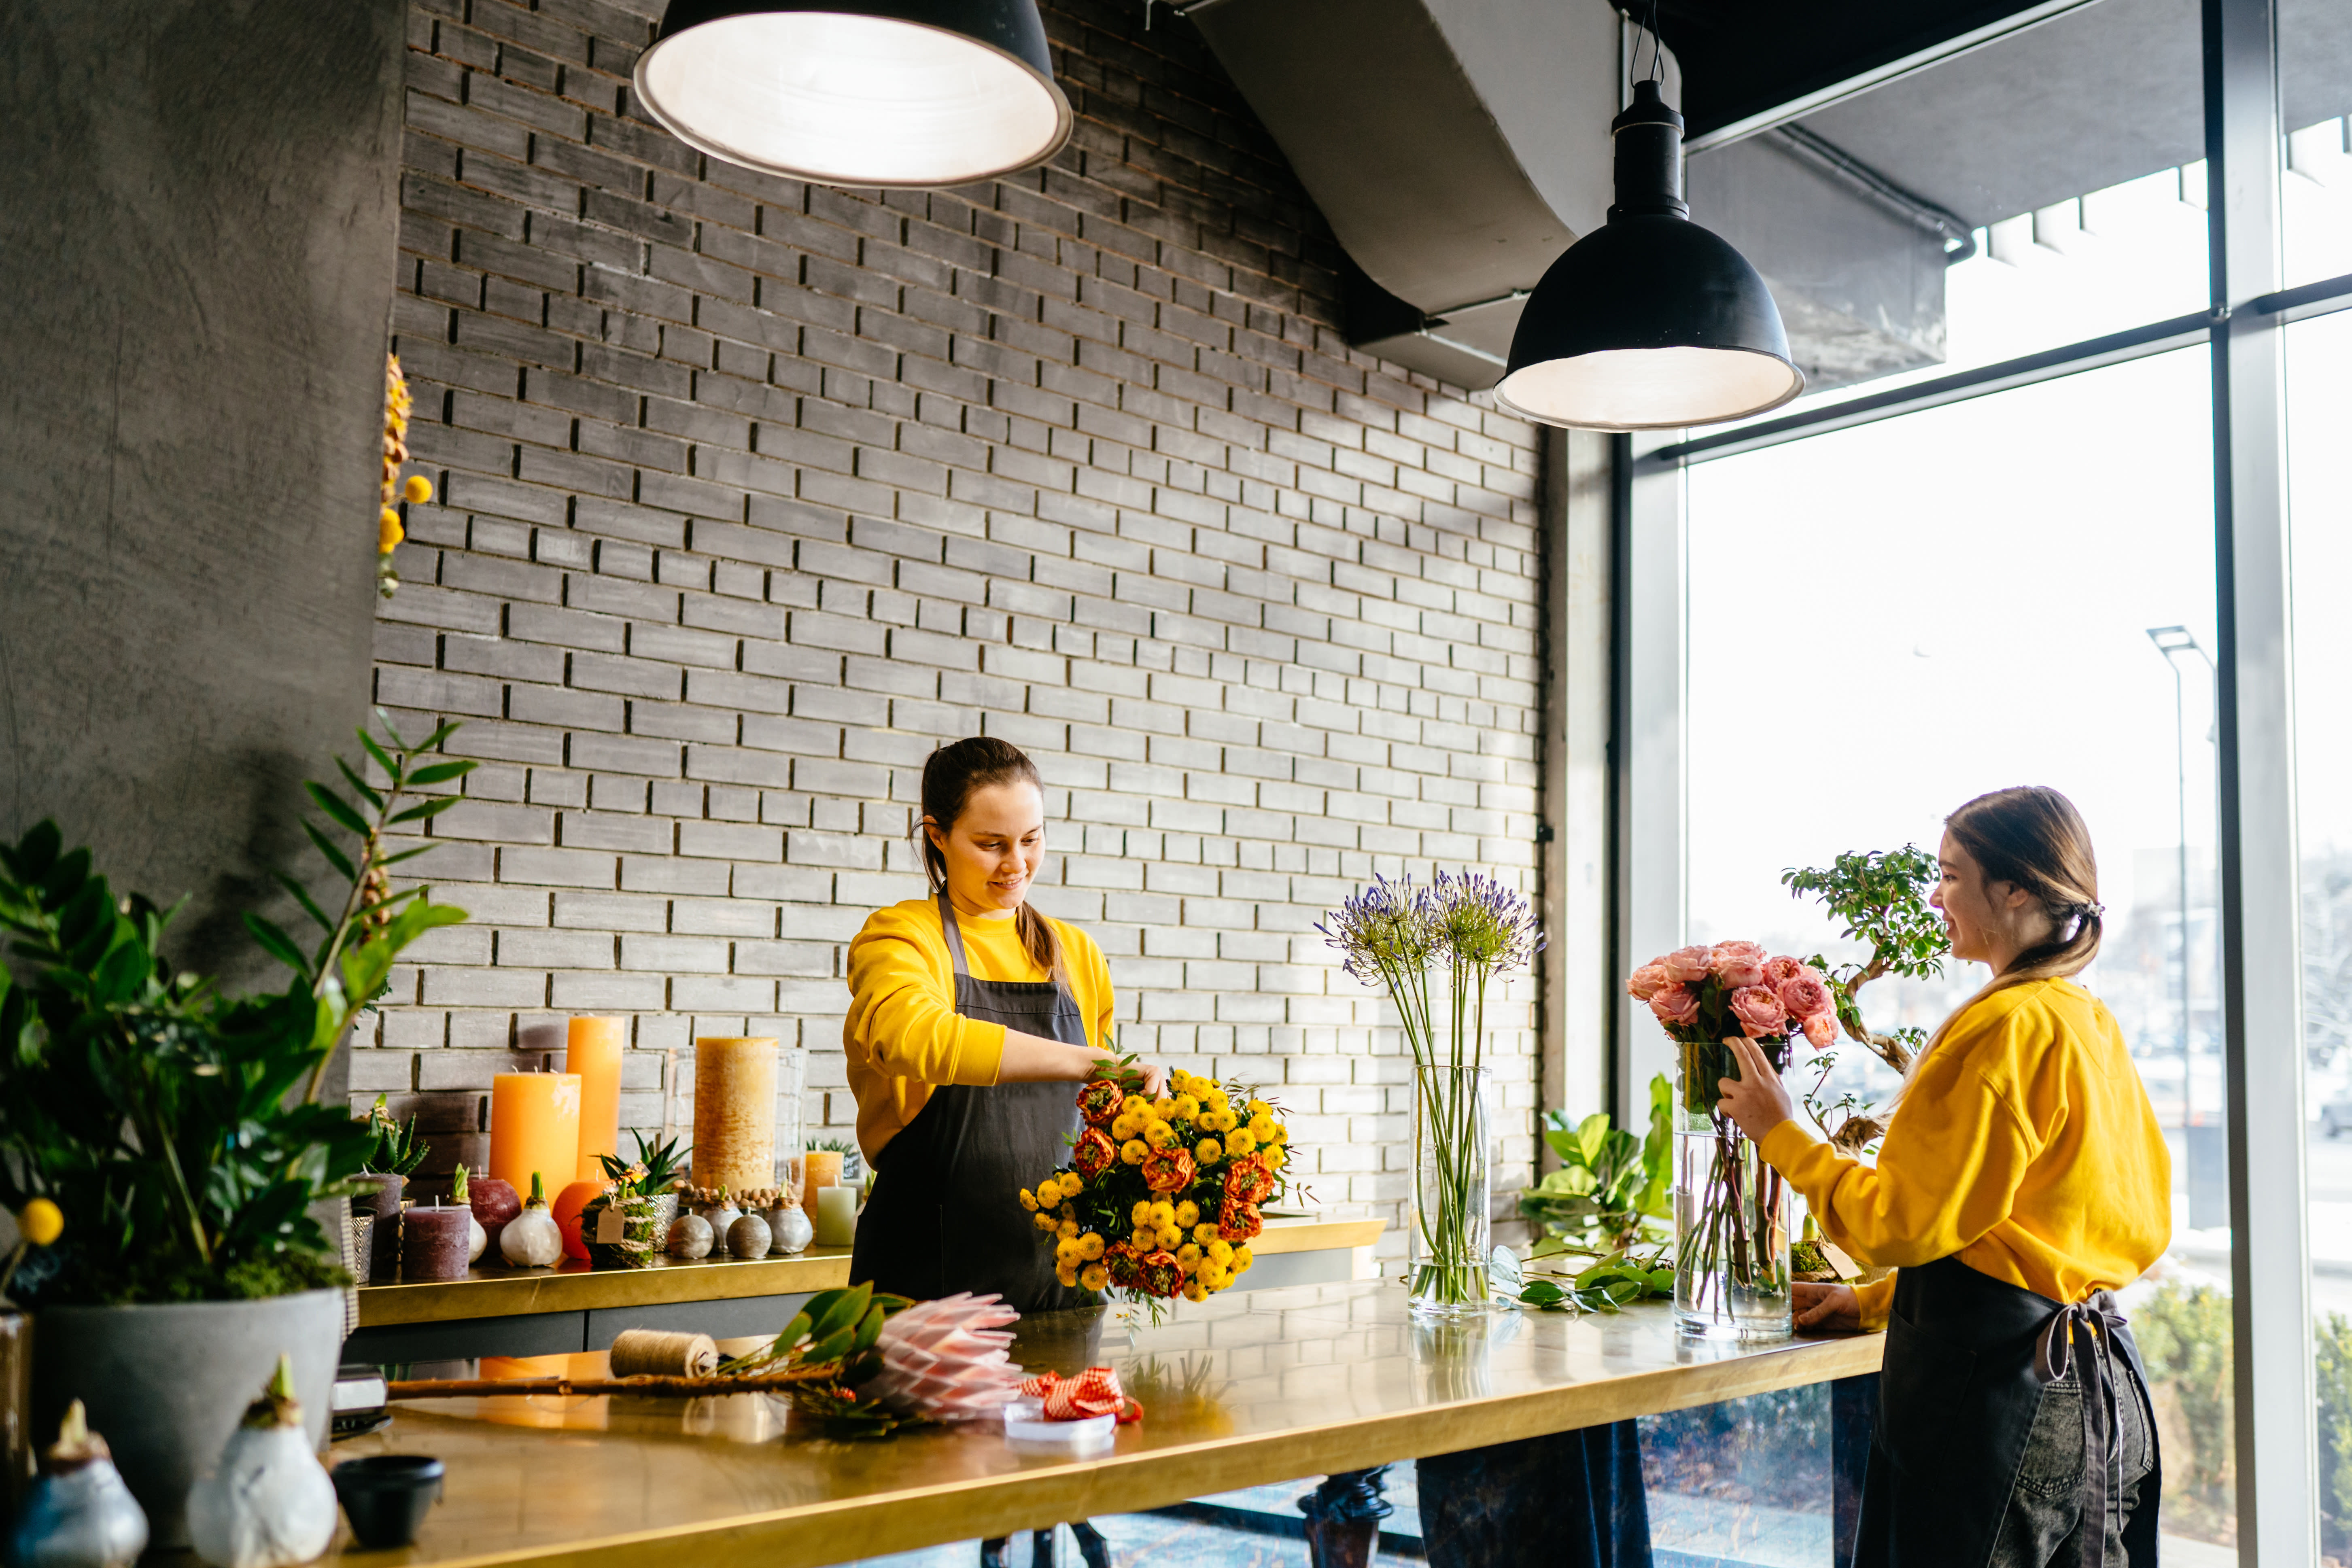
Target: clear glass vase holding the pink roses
[1730, 1214]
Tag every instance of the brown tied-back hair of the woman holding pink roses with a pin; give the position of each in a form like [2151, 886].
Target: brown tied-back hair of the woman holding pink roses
[2036, 840]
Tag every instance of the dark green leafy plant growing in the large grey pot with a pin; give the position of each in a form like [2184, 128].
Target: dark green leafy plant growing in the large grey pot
[180, 1130]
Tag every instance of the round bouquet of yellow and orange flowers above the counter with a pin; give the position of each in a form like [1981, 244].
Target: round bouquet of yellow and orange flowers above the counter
[1163, 1195]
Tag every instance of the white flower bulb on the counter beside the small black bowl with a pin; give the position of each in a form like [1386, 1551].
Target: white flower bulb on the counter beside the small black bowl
[269, 1503]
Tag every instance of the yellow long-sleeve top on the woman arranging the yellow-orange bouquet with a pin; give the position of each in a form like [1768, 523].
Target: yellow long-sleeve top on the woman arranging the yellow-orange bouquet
[904, 1036]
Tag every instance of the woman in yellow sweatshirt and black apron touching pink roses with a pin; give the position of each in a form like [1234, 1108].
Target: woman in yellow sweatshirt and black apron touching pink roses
[2022, 1184]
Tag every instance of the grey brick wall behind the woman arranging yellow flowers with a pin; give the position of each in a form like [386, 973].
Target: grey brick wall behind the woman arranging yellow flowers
[754, 492]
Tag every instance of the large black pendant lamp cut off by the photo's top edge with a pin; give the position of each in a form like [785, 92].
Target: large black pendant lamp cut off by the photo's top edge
[860, 93]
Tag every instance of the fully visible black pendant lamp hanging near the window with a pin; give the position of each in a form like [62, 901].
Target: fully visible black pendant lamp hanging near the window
[1650, 323]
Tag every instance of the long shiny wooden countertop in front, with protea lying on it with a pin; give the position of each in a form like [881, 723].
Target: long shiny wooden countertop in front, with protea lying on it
[1245, 1388]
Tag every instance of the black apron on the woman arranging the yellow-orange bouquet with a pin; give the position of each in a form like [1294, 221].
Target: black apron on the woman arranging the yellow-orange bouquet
[947, 1212]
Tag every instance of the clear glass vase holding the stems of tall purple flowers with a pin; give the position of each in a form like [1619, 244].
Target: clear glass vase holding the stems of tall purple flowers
[1452, 1191]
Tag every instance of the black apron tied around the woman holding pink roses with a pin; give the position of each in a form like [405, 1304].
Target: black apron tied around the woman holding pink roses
[1967, 1360]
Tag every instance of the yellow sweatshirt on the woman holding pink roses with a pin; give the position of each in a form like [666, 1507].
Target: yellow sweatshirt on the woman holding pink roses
[2024, 1146]
